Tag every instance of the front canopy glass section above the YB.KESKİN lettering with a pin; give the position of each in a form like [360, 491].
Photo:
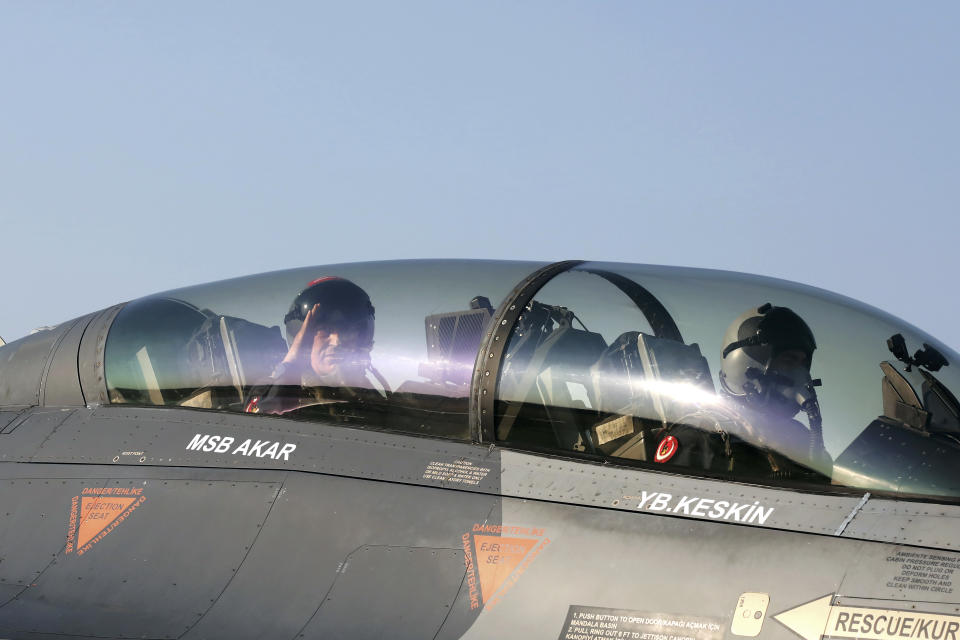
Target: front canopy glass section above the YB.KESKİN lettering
[726, 374]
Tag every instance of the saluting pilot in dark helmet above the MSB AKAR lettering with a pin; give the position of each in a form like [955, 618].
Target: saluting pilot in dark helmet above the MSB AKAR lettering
[329, 331]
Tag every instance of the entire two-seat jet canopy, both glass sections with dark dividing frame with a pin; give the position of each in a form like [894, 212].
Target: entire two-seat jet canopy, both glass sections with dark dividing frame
[678, 370]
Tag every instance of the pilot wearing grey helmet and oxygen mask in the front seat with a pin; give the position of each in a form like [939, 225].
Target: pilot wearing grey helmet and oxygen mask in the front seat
[765, 382]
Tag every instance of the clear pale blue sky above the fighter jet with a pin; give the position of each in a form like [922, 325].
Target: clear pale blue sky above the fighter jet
[145, 146]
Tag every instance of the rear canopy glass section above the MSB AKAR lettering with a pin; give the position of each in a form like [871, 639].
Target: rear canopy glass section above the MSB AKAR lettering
[387, 345]
